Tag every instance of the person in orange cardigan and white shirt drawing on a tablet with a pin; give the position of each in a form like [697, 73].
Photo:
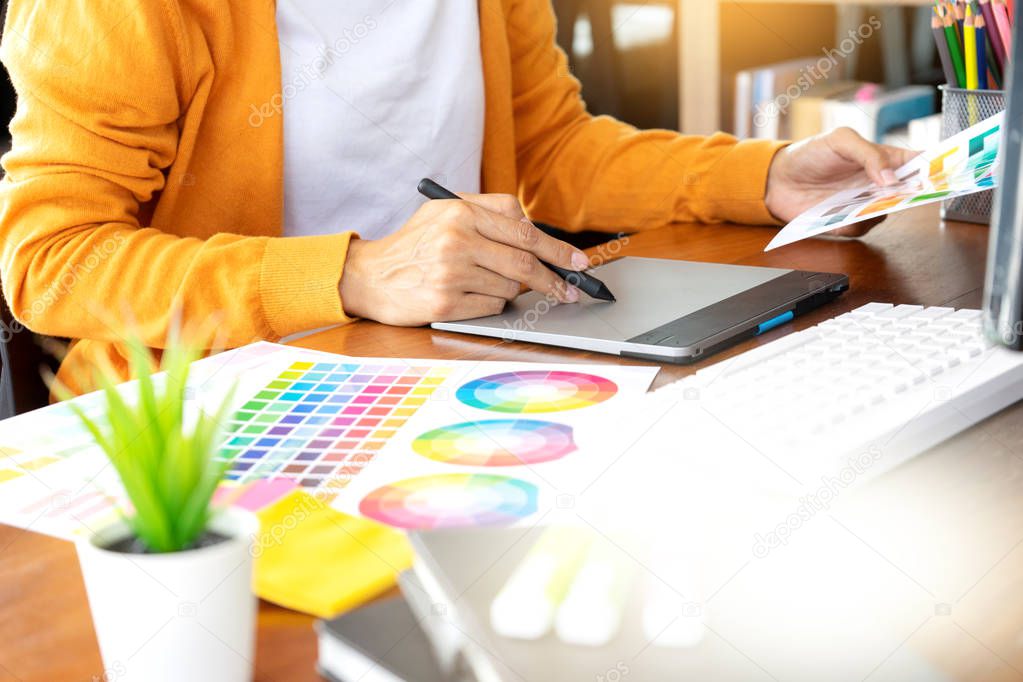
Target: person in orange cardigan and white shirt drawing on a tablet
[258, 161]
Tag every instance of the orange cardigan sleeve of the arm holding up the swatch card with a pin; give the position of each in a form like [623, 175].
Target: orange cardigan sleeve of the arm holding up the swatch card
[584, 172]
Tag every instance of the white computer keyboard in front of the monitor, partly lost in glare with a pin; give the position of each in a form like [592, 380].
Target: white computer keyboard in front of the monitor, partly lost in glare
[883, 382]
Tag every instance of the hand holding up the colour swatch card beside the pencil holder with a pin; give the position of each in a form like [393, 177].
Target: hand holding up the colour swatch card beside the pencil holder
[805, 174]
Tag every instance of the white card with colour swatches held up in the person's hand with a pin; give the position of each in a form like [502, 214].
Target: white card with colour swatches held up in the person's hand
[964, 164]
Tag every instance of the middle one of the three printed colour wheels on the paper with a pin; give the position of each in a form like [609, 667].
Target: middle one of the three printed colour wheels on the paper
[497, 443]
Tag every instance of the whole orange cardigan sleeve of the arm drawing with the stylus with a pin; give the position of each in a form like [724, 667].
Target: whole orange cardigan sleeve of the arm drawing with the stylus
[103, 88]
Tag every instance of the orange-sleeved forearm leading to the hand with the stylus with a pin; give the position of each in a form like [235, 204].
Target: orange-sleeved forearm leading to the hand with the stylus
[69, 274]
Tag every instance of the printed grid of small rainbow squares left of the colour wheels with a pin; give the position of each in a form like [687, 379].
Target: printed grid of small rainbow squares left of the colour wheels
[321, 423]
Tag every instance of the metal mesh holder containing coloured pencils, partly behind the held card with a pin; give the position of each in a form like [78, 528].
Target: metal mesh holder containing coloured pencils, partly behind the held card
[960, 110]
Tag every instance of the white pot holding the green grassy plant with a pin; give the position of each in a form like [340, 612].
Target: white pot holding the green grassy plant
[181, 616]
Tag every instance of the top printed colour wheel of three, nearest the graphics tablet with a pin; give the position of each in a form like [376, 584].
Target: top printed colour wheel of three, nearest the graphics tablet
[537, 391]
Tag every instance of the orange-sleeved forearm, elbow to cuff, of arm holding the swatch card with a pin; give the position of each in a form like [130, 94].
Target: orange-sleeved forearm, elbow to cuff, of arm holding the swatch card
[606, 176]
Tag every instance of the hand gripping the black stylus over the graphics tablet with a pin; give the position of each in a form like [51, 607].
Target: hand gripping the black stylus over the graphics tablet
[455, 260]
